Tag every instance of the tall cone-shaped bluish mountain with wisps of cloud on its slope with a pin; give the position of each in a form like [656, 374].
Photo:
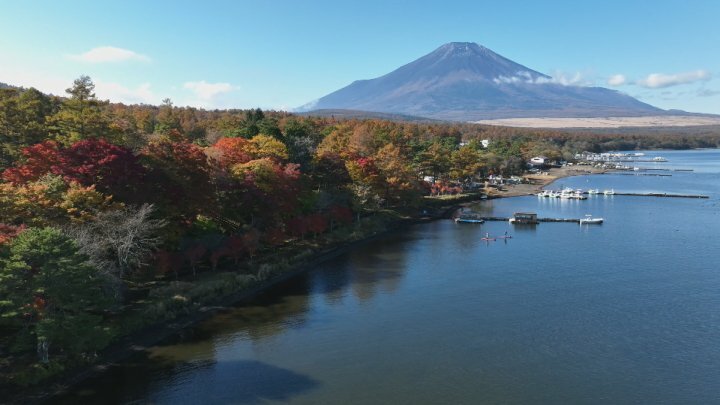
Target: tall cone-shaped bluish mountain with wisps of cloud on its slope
[466, 81]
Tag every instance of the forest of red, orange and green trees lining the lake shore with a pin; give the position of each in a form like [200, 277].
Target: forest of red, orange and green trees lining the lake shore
[113, 216]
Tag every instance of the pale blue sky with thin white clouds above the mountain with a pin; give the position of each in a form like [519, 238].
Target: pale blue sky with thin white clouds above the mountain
[282, 54]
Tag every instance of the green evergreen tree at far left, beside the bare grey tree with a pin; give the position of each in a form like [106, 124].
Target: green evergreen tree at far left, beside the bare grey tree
[51, 294]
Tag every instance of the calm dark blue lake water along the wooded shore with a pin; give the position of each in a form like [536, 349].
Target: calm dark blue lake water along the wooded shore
[624, 312]
